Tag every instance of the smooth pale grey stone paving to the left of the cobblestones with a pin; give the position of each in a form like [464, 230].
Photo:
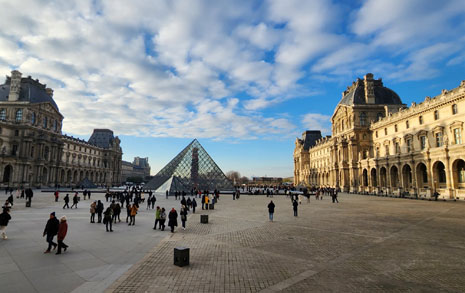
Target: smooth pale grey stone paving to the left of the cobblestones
[95, 258]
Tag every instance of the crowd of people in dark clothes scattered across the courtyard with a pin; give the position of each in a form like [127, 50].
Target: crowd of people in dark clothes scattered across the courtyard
[132, 198]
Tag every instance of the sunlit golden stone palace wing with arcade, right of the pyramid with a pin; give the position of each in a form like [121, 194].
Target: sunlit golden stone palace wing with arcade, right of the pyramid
[378, 144]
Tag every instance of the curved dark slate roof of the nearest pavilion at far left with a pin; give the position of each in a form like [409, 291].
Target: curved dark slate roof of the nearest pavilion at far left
[31, 91]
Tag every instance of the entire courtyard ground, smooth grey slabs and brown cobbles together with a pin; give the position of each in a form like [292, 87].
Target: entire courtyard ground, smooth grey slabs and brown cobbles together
[362, 244]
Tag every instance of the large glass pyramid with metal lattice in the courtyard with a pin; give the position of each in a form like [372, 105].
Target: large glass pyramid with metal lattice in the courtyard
[191, 168]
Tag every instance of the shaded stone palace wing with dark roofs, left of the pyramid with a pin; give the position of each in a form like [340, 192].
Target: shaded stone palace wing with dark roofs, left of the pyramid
[33, 150]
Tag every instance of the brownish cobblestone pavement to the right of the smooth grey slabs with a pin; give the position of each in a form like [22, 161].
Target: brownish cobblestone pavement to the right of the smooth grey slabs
[362, 244]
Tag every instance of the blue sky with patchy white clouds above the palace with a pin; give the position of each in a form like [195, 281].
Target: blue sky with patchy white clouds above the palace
[244, 77]
